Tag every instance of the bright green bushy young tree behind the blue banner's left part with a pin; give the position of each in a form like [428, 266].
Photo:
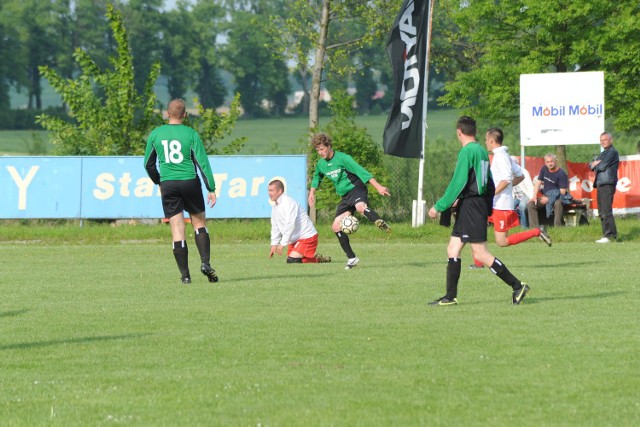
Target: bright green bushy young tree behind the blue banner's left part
[115, 123]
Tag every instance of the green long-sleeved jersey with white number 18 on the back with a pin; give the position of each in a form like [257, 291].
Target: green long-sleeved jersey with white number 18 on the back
[179, 152]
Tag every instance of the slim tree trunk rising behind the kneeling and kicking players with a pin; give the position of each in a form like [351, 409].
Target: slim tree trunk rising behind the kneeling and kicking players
[316, 80]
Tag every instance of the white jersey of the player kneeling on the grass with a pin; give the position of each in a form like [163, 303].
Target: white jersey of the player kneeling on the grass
[289, 222]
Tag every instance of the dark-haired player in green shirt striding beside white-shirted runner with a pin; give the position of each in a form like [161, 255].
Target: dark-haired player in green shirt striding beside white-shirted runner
[471, 189]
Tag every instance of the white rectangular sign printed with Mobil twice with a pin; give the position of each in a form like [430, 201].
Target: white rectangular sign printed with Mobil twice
[561, 108]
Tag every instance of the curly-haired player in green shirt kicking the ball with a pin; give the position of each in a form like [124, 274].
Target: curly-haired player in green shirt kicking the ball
[350, 180]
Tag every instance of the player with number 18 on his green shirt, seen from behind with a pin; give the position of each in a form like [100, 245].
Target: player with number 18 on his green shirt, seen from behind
[178, 151]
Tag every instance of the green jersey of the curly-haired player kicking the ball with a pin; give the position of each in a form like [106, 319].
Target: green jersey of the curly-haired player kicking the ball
[345, 173]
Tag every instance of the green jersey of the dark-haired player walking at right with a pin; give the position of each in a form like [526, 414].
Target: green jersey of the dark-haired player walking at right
[470, 178]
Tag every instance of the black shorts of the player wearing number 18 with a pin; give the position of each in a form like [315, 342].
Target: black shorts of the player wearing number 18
[178, 196]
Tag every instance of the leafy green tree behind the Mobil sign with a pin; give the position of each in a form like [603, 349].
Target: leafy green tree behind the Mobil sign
[498, 41]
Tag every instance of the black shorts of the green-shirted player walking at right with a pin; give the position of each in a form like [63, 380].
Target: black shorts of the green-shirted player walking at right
[471, 221]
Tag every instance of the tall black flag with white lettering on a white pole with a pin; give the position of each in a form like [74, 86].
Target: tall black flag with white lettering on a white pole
[407, 51]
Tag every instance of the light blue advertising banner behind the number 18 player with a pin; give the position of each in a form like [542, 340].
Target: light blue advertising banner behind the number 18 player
[118, 187]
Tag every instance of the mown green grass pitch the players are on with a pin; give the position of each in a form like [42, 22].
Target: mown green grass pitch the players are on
[97, 330]
